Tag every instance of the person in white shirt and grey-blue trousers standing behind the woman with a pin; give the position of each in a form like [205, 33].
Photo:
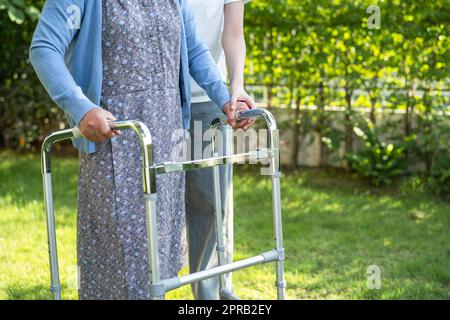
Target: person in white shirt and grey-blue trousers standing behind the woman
[220, 23]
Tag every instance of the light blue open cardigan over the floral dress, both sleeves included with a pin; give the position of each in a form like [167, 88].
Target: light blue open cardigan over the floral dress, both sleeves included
[68, 61]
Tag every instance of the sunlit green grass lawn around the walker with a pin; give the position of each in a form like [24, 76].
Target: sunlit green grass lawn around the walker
[335, 227]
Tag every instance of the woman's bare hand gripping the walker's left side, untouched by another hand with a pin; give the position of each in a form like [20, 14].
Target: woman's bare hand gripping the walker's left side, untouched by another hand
[95, 125]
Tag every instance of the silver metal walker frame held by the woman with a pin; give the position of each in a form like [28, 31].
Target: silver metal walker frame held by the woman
[158, 288]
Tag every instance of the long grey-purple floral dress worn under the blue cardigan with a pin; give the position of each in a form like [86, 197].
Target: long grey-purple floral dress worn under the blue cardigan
[141, 65]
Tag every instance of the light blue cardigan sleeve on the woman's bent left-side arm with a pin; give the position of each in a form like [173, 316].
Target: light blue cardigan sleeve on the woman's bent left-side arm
[53, 36]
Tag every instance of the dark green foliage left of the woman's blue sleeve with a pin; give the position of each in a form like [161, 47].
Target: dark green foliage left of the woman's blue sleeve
[26, 111]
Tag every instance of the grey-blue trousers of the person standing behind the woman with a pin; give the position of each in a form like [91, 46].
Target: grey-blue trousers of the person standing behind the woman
[200, 206]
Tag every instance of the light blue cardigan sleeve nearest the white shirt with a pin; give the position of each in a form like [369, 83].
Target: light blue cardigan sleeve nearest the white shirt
[201, 64]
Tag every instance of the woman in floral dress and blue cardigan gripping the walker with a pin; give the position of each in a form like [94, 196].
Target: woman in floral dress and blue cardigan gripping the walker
[125, 59]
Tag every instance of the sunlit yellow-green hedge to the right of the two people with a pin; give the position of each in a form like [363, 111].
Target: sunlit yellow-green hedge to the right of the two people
[323, 54]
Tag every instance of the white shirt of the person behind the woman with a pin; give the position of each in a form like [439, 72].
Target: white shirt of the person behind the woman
[209, 17]
